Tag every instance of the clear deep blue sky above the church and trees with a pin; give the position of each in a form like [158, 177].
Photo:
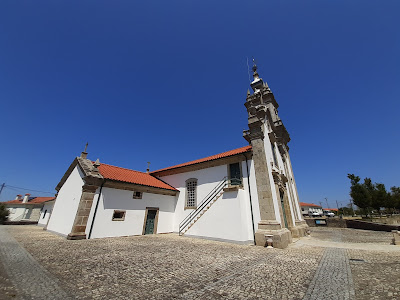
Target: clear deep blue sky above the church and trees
[165, 82]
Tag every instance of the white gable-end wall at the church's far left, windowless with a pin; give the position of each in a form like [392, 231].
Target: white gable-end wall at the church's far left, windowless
[66, 204]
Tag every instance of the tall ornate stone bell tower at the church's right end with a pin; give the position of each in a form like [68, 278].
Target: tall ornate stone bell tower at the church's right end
[280, 214]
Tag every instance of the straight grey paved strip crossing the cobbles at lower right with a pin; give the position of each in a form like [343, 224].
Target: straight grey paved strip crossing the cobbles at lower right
[333, 278]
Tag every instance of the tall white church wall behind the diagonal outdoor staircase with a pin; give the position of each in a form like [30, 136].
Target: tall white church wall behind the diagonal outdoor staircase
[229, 218]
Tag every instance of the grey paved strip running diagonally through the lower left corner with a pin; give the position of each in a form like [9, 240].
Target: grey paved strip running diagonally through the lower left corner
[34, 282]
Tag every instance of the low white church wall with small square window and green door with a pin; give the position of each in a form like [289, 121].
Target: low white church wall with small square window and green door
[122, 200]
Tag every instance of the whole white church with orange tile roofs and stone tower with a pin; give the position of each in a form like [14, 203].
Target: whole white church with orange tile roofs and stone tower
[246, 195]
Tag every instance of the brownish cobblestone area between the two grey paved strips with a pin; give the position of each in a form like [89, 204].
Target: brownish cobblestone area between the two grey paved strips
[170, 267]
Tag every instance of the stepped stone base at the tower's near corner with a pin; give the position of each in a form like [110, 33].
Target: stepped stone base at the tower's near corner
[281, 237]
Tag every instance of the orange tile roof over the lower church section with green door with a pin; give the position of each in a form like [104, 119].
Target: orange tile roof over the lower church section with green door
[131, 176]
